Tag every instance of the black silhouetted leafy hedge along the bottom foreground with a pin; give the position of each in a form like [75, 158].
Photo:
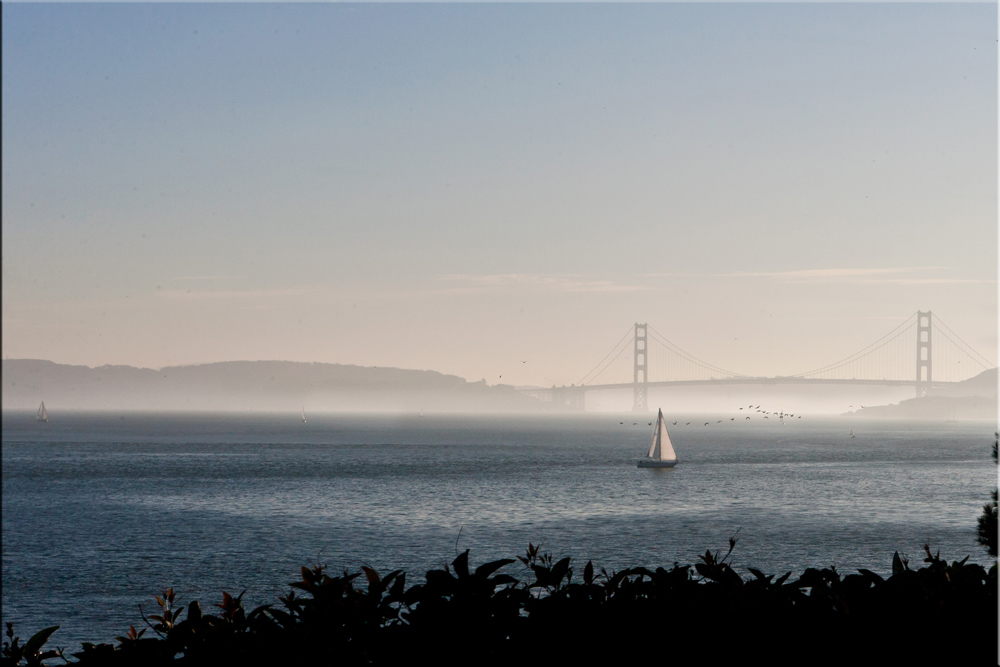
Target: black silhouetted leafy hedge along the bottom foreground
[944, 613]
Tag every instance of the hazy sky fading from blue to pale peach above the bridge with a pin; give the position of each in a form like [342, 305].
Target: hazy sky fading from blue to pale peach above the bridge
[463, 187]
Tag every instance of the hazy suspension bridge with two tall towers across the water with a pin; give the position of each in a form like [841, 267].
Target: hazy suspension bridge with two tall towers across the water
[922, 352]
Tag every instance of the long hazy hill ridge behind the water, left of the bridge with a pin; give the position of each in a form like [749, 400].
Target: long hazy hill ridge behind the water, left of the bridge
[249, 385]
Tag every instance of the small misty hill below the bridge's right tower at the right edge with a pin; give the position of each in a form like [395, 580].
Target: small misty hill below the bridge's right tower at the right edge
[975, 398]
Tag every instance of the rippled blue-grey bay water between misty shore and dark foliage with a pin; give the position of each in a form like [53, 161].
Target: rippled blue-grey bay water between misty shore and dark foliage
[101, 512]
